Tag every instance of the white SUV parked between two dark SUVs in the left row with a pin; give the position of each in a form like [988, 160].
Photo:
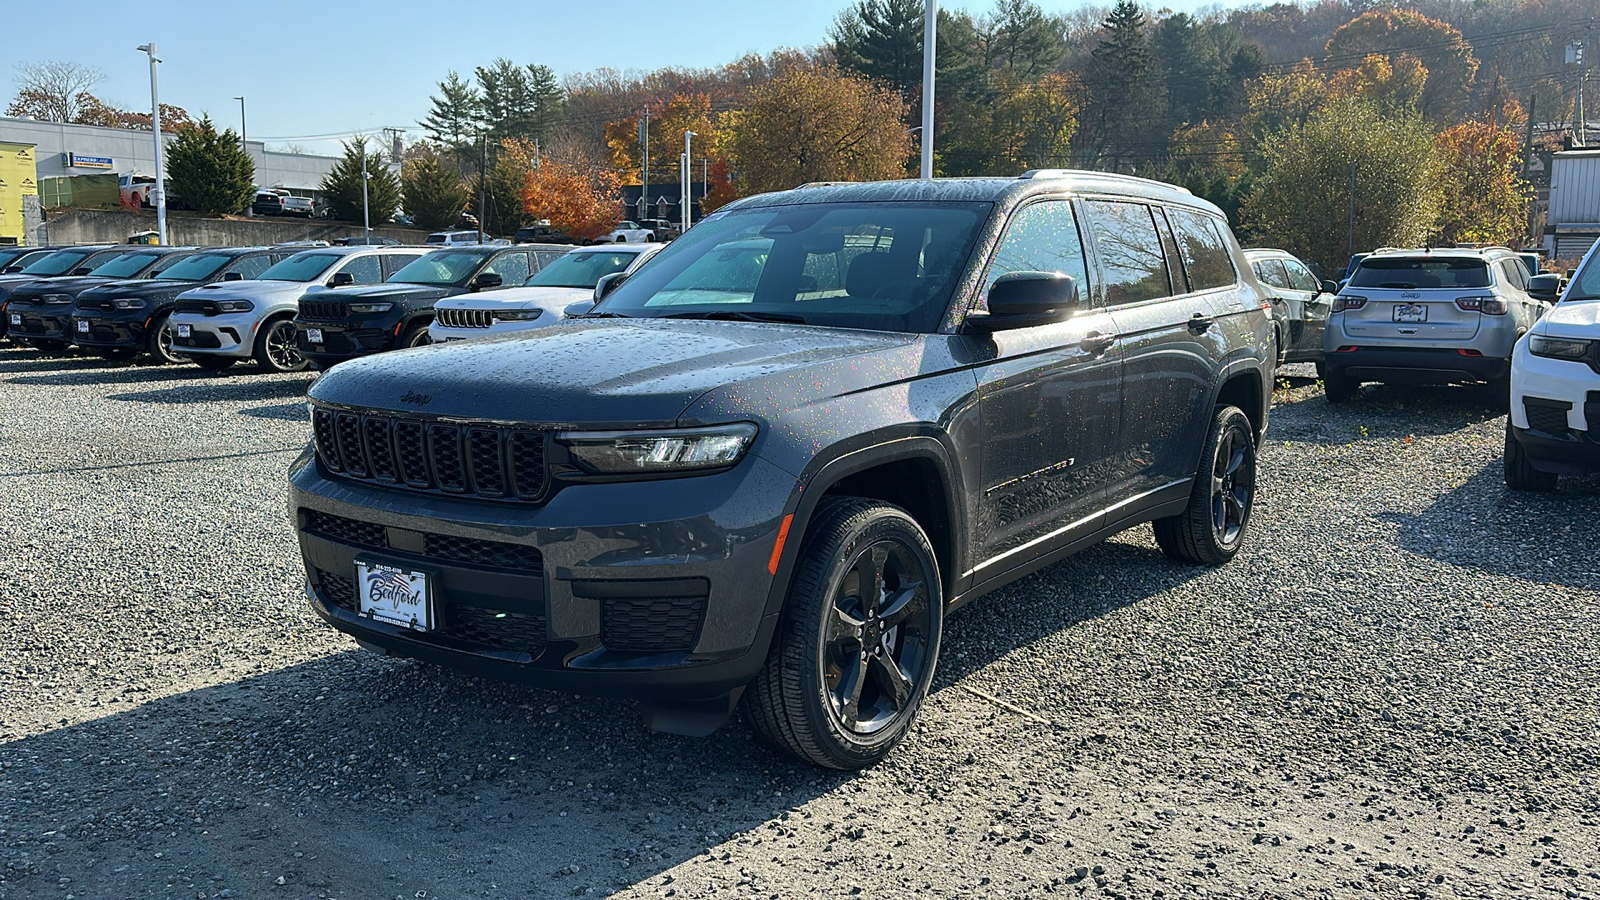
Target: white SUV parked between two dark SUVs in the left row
[225, 323]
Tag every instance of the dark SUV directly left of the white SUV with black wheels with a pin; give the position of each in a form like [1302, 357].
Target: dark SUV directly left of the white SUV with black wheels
[124, 319]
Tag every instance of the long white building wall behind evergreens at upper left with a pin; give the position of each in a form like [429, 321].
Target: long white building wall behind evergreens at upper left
[134, 153]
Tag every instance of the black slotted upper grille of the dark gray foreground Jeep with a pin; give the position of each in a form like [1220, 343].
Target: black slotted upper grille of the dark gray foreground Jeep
[473, 460]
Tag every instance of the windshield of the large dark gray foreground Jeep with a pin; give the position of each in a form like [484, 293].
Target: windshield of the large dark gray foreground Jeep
[884, 267]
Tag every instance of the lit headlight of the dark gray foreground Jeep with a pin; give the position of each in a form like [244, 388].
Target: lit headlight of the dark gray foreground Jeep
[668, 451]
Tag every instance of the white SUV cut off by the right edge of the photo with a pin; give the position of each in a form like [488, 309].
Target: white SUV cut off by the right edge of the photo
[1554, 424]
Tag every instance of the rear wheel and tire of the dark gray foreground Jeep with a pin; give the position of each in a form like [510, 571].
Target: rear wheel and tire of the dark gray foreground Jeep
[1212, 529]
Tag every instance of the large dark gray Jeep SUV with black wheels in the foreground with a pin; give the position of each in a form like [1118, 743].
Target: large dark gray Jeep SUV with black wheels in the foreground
[772, 460]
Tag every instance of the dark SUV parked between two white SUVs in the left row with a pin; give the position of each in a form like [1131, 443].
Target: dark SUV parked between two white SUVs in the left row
[353, 323]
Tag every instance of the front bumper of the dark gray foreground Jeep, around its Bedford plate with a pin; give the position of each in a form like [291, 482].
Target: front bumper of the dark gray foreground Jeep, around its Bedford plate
[654, 590]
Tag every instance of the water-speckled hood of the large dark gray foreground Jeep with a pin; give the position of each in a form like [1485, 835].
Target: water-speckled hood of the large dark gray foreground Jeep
[622, 374]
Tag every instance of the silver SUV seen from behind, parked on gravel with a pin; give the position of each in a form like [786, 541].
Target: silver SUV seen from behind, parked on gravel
[1428, 318]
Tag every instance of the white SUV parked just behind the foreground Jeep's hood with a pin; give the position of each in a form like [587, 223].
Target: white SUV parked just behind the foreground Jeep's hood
[543, 300]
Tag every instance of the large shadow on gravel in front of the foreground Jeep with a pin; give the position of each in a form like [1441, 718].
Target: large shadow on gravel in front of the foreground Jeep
[374, 777]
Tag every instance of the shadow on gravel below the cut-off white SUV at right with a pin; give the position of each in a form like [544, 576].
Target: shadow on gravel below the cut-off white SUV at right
[1537, 537]
